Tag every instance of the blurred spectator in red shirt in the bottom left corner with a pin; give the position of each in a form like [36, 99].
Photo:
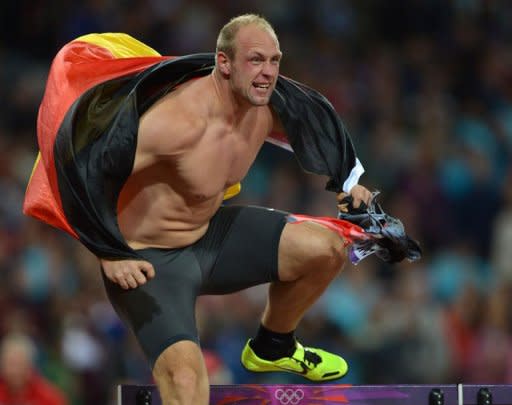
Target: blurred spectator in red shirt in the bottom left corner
[20, 382]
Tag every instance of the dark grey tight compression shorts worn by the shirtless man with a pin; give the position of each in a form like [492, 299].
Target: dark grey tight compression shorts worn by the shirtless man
[239, 250]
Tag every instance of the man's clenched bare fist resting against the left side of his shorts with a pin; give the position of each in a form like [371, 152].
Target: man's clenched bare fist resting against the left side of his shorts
[128, 273]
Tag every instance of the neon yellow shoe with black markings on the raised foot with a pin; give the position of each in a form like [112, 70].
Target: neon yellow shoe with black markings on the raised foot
[313, 364]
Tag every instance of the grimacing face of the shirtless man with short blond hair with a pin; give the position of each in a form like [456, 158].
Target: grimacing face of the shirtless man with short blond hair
[255, 66]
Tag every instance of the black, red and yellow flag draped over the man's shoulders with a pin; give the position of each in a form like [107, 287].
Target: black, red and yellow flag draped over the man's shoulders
[98, 87]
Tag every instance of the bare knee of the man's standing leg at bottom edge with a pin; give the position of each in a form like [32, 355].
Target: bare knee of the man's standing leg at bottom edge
[180, 374]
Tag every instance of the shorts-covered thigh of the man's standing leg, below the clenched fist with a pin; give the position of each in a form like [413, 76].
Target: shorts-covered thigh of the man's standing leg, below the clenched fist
[162, 311]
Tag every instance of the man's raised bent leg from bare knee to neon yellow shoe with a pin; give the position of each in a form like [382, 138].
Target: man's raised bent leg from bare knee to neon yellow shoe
[310, 256]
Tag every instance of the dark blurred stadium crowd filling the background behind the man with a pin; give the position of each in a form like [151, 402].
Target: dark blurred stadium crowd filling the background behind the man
[425, 88]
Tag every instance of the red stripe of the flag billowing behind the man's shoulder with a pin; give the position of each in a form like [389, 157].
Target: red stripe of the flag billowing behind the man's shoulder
[76, 68]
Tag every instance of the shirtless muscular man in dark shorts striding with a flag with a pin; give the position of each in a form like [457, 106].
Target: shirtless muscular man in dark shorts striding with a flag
[193, 144]
